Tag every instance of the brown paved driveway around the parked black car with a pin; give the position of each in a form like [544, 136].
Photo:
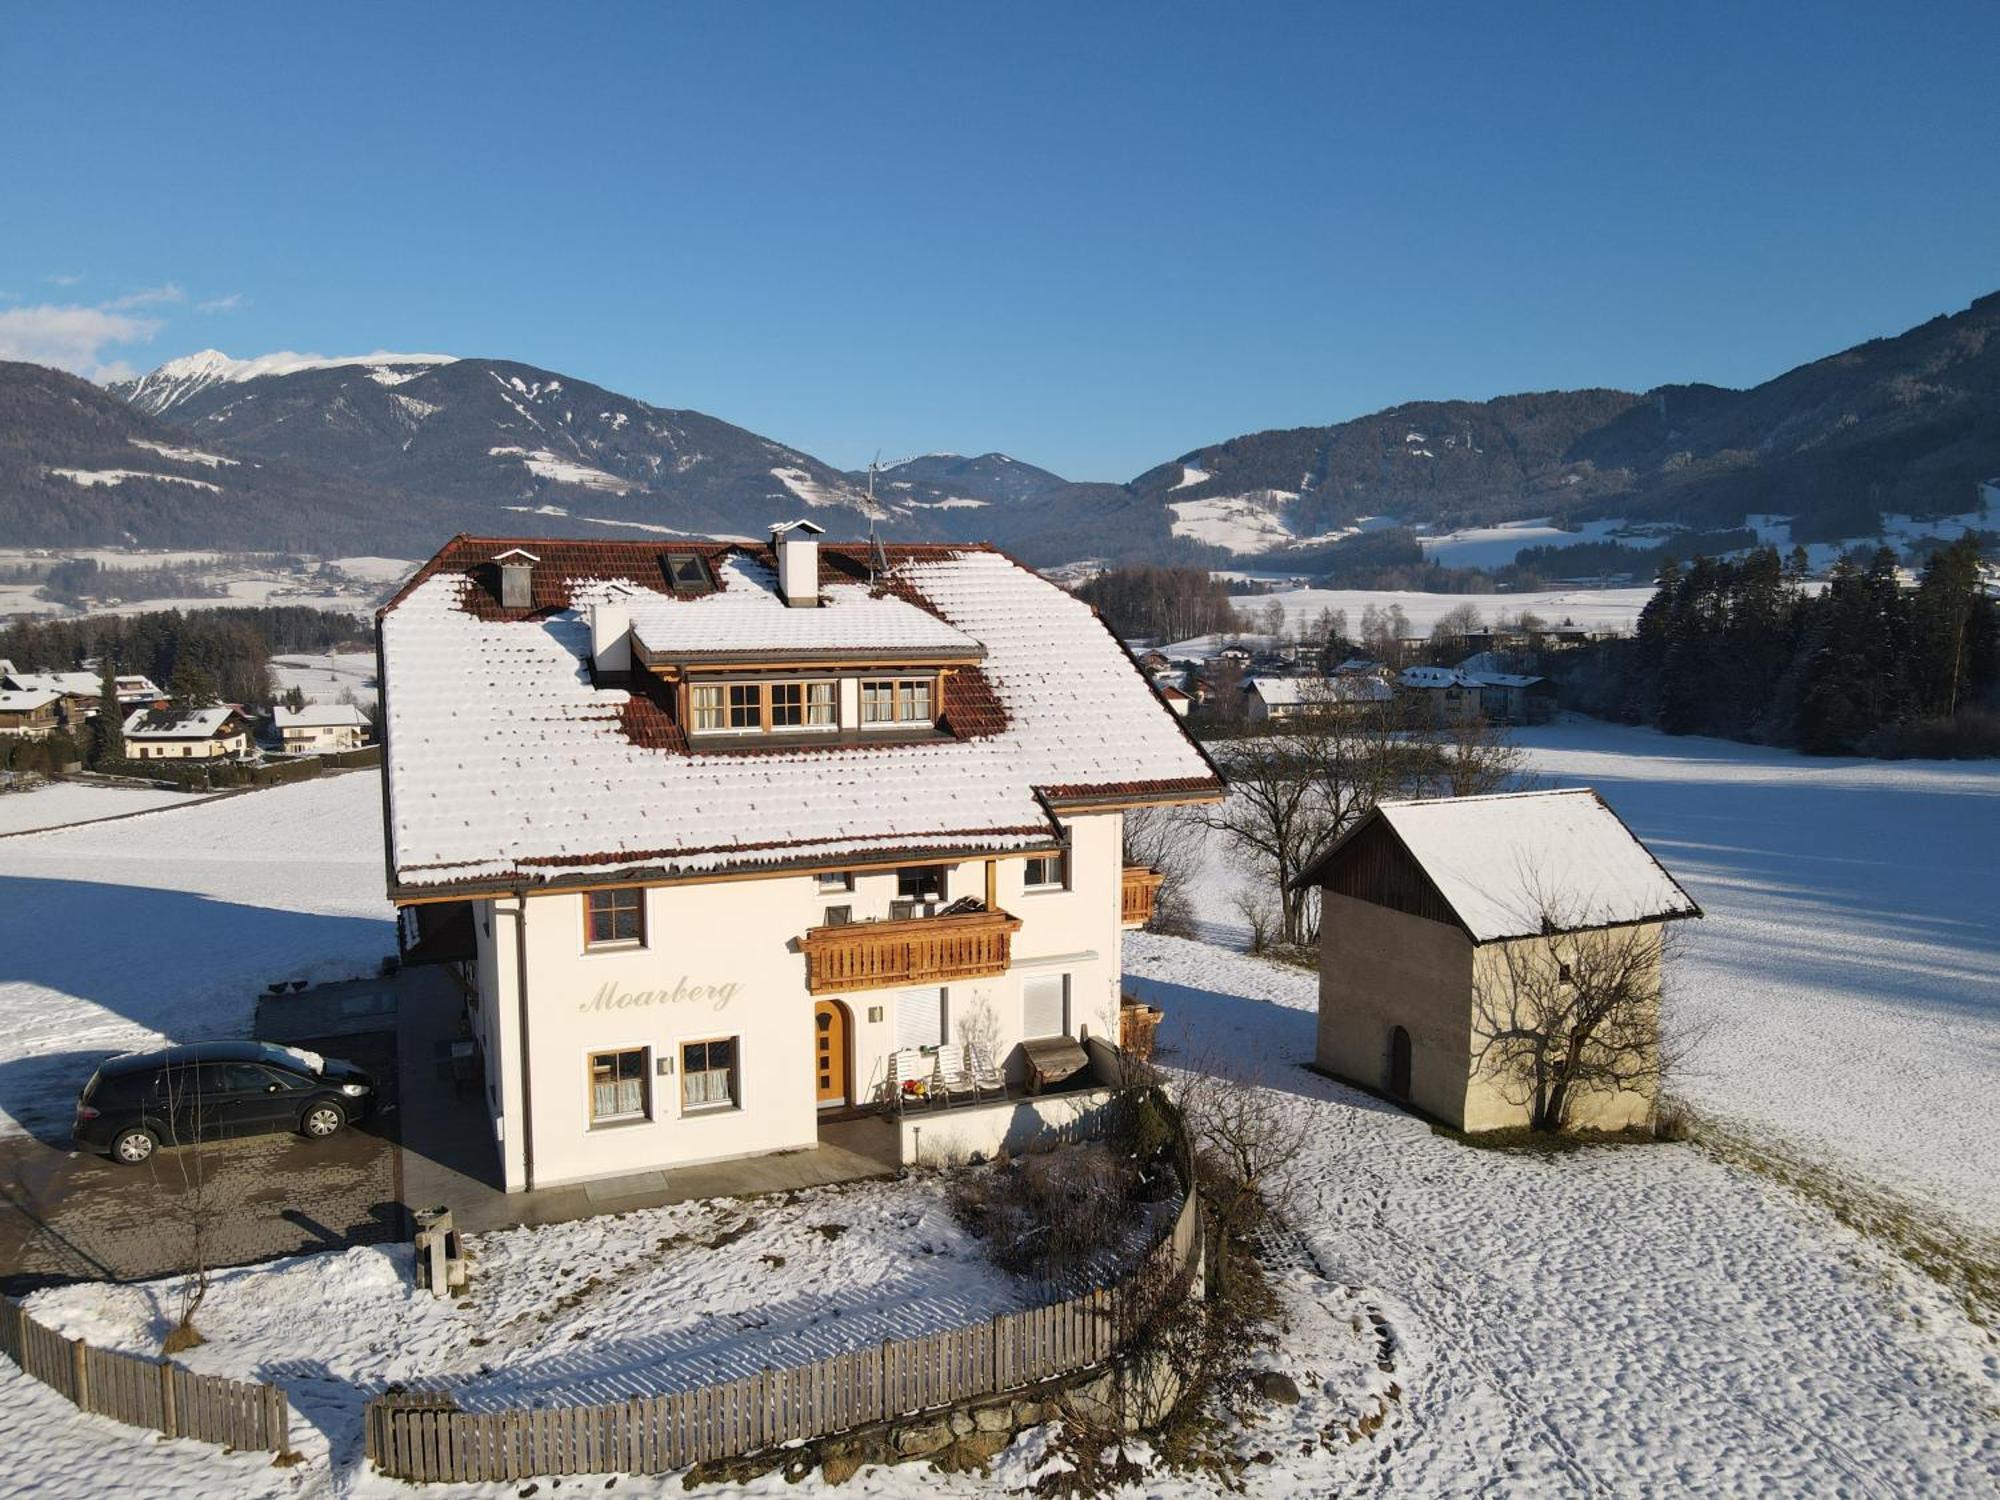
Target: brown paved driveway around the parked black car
[67, 1215]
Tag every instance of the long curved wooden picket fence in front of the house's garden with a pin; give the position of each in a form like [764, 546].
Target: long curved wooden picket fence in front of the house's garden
[421, 1435]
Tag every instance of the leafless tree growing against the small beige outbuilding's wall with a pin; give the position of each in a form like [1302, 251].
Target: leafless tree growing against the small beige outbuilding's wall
[1575, 1015]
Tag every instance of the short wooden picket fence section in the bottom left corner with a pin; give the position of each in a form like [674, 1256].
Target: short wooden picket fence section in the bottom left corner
[147, 1393]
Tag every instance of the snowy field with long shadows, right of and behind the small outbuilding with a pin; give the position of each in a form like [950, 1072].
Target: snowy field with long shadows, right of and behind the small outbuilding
[1851, 955]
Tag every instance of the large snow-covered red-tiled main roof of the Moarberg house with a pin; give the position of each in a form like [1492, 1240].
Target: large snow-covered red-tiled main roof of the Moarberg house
[507, 763]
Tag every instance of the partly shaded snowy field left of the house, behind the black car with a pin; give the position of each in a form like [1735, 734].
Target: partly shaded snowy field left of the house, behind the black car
[165, 929]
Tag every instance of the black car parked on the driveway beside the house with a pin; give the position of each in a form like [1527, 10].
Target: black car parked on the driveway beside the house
[145, 1101]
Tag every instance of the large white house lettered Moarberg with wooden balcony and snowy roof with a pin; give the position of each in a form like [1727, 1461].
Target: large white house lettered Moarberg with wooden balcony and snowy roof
[729, 841]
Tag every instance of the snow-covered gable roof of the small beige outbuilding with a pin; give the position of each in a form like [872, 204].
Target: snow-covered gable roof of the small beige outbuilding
[1503, 863]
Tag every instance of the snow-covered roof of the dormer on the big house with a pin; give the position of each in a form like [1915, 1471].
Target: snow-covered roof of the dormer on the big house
[749, 619]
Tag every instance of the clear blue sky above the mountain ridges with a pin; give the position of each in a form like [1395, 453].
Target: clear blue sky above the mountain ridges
[1093, 237]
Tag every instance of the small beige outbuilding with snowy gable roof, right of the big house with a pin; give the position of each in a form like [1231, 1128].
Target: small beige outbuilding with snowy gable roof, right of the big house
[1437, 913]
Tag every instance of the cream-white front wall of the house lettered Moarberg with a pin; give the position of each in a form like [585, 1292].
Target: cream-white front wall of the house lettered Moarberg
[721, 961]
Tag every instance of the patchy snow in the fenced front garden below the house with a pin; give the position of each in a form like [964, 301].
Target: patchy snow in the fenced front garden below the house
[599, 1311]
